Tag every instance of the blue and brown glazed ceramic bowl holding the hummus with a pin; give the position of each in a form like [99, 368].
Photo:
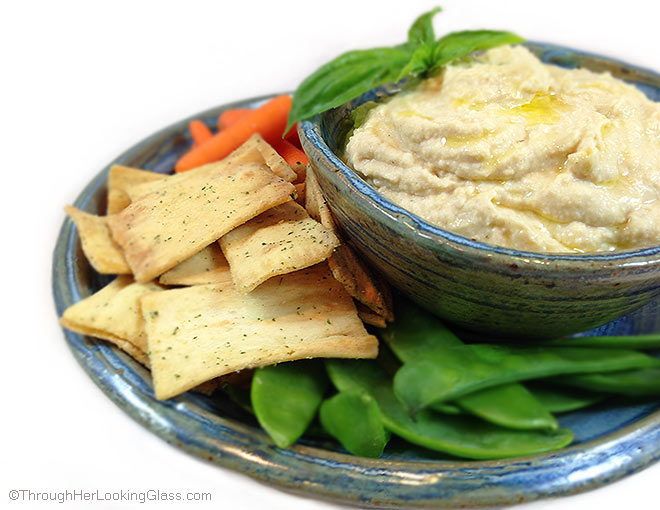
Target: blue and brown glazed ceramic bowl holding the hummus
[477, 286]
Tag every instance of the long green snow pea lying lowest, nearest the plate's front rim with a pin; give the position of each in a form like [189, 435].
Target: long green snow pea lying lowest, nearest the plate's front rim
[461, 436]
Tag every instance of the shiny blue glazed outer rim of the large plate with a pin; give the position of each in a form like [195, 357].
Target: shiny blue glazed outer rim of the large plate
[340, 478]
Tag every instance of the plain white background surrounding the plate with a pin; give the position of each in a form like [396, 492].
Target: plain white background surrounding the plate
[81, 82]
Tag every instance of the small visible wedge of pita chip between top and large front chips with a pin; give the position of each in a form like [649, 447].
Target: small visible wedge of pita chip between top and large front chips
[207, 266]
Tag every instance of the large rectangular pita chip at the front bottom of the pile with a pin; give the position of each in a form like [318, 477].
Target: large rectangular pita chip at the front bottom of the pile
[199, 333]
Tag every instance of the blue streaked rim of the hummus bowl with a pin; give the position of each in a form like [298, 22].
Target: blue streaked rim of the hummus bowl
[310, 131]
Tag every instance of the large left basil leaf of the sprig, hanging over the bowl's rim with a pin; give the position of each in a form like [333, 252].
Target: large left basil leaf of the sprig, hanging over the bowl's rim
[346, 77]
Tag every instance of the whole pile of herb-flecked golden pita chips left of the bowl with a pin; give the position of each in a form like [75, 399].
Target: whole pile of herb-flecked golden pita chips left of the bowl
[258, 291]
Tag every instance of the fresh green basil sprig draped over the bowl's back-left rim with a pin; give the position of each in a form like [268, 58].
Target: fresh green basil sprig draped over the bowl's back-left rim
[355, 72]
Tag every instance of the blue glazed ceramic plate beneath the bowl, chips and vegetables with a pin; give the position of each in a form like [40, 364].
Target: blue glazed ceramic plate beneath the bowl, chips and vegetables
[613, 440]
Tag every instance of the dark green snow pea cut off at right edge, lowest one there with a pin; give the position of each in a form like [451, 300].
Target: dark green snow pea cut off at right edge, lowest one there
[634, 383]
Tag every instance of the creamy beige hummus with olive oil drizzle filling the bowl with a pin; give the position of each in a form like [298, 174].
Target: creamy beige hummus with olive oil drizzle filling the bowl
[510, 151]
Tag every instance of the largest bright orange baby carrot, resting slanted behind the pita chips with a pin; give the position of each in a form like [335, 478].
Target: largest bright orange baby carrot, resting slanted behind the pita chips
[269, 120]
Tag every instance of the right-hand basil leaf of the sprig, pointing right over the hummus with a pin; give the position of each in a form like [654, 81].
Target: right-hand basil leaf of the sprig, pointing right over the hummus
[459, 44]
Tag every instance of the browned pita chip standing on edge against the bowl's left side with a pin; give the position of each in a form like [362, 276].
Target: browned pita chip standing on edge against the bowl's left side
[355, 276]
